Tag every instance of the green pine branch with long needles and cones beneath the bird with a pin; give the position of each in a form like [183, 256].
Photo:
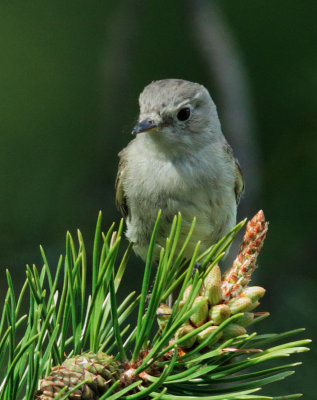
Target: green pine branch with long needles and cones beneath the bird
[60, 339]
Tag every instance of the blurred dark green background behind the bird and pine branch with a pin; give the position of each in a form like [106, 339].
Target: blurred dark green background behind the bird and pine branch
[70, 75]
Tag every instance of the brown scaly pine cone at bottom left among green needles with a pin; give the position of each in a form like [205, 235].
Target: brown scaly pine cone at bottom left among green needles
[99, 369]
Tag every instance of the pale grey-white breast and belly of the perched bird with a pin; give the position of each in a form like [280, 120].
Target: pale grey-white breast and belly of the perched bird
[154, 183]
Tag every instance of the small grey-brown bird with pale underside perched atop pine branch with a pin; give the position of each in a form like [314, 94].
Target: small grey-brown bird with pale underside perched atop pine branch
[178, 162]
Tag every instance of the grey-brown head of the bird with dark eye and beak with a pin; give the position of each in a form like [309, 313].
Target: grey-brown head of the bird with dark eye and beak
[177, 112]
